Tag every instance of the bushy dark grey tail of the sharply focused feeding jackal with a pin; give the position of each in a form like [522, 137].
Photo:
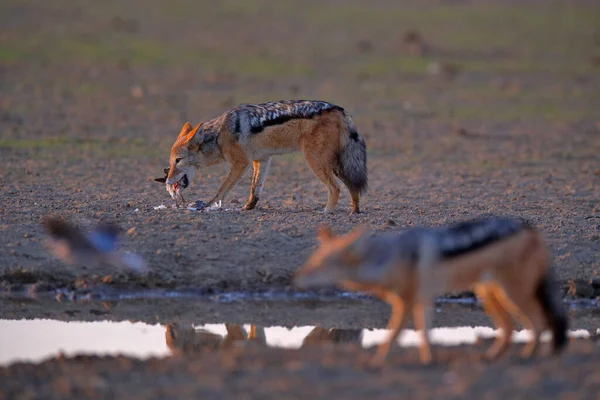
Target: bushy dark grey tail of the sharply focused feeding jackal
[352, 160]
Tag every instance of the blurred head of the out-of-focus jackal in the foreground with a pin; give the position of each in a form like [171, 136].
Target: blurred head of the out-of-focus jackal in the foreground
[338, 260]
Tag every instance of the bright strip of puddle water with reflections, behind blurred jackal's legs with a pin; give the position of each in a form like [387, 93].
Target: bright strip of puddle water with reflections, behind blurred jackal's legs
[35, 340]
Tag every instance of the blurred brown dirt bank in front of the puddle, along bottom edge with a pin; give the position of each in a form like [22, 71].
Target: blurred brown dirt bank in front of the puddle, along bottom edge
[335, 371]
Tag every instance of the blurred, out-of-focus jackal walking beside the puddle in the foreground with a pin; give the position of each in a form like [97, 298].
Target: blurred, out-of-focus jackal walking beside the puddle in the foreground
[505, 261]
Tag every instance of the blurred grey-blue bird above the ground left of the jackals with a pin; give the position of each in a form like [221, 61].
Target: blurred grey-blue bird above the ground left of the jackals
[97, 248]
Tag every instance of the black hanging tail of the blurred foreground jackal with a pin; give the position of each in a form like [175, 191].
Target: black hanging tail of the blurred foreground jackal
[548, 295]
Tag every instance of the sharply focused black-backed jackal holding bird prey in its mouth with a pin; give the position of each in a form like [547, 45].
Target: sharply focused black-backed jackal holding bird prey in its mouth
[251, 134]
